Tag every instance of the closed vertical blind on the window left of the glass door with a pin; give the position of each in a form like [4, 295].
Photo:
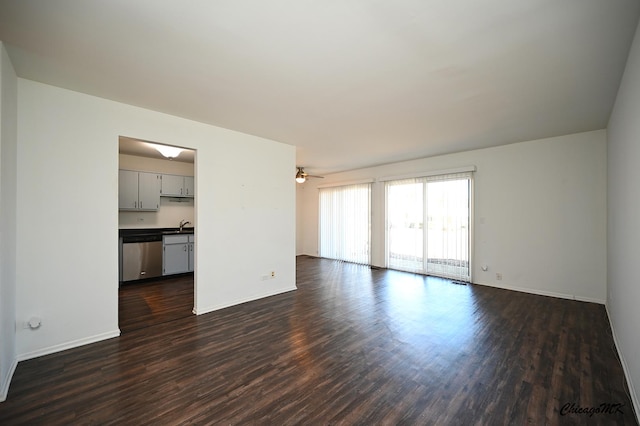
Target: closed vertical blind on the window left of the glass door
[345, 223]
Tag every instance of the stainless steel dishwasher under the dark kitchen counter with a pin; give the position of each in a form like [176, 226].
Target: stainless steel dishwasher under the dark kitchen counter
[141, 257]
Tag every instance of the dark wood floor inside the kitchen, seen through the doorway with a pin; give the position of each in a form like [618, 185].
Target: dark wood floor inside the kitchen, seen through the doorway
[154, 302]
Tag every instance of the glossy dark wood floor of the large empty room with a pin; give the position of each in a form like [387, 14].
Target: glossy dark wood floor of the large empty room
[351, 346]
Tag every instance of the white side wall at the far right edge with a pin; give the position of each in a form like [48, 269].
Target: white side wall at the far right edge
[623, 296]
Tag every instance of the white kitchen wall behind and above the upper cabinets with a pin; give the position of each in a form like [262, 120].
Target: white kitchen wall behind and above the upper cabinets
[171, 211]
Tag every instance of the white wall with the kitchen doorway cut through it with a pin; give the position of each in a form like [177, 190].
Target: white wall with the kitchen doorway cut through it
[67, 267]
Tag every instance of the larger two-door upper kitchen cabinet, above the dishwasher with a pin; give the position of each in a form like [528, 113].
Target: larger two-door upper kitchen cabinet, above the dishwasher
[138, 190]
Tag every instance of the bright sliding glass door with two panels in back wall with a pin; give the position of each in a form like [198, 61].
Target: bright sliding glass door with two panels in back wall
[428, 225]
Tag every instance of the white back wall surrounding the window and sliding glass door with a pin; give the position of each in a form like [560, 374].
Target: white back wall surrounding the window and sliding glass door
[540, 213]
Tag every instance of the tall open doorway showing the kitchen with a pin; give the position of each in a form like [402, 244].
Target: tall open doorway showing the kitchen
[156, 199]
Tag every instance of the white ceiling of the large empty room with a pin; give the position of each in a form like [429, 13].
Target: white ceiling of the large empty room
[350, 83]
